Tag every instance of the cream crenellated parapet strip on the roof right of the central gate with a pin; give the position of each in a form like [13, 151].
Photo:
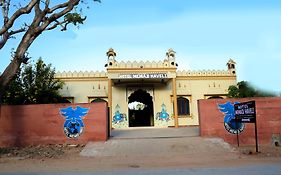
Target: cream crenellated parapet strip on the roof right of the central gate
[205, 73]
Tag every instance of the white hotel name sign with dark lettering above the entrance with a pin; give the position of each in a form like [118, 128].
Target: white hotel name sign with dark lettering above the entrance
[143, 76]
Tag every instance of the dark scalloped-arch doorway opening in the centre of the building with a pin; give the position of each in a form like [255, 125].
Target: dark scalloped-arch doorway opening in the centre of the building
[141, 117]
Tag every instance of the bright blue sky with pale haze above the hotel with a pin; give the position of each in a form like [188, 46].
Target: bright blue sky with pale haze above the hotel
[204, 33]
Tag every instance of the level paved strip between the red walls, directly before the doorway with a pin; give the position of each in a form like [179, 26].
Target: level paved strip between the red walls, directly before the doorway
[147, 132]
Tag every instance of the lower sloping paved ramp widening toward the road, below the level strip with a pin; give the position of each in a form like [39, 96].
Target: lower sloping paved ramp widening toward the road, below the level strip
[158, 147]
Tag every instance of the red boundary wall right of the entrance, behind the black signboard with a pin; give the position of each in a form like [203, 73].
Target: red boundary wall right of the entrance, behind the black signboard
[268, 120]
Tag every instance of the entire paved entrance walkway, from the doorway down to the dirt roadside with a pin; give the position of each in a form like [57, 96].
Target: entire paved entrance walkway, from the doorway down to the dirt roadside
[156, 142]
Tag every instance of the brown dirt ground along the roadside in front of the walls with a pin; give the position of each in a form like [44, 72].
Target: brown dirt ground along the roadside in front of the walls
[61, 158]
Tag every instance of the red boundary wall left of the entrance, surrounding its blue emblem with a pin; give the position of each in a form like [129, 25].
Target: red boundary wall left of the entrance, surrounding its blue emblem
[43, 124]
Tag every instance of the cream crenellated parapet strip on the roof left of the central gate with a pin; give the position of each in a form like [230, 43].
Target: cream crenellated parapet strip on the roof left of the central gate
[81, 74]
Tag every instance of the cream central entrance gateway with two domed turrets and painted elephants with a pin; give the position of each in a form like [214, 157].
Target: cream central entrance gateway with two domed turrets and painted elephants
[142, 90]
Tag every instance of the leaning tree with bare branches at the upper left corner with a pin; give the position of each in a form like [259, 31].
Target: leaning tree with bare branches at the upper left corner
[44, 15]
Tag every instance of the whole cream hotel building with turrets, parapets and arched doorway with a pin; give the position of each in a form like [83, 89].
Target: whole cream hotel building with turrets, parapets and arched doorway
[148, 93]
